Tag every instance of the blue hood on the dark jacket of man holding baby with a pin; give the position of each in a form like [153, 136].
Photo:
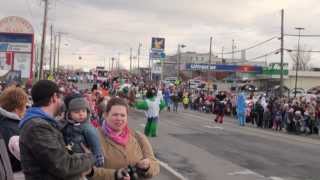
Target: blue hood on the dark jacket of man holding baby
[36, 112]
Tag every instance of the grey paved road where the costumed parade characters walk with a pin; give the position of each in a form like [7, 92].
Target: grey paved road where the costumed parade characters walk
[200, 149]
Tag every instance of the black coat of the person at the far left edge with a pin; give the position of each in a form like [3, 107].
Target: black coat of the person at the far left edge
[9, 126]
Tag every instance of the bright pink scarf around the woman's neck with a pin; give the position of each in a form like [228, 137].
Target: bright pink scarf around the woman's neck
[121, 138]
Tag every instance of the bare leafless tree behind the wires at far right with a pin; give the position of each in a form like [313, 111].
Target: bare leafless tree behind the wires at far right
[304, 57]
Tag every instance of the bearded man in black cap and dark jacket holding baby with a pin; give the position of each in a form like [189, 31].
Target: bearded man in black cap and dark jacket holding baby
[43, 151]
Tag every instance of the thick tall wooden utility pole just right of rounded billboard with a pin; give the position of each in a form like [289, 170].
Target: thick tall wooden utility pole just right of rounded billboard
[43, 41]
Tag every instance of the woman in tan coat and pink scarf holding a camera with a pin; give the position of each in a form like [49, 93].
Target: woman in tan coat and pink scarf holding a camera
[129, 154]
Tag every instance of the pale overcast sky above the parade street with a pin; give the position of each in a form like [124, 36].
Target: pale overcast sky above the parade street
[100, 29]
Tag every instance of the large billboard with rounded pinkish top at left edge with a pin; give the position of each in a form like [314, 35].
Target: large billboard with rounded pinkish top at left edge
[16, 40]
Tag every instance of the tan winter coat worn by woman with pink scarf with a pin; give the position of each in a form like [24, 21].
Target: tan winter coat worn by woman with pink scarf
[118, 156]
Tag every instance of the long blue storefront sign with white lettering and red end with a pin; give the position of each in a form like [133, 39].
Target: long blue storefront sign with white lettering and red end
[224, 68]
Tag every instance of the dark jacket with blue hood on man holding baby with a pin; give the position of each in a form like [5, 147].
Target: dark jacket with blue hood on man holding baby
[43, 151]
